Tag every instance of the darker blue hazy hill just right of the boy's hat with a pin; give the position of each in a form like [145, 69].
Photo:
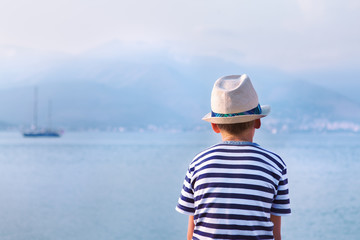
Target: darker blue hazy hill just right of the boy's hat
[303, 106]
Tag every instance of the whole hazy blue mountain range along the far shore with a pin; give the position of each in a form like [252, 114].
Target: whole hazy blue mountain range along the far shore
[115, 88]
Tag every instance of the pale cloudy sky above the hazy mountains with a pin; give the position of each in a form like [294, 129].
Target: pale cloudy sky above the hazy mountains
[291, 36]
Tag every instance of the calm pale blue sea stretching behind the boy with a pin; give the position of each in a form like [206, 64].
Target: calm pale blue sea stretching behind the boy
[113, 185]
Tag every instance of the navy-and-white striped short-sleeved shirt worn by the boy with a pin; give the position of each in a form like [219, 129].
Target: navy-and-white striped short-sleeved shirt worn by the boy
[232, 188]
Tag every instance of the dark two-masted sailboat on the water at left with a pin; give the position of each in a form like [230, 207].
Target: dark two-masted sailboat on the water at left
[38, 132]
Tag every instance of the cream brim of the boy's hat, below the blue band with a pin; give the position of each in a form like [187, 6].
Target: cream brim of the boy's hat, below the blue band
[265, 110]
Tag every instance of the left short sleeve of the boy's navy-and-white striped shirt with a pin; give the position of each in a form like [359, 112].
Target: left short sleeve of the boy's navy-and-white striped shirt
[186, 200]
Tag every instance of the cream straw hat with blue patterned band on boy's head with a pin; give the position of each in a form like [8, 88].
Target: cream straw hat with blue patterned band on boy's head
[234, 100]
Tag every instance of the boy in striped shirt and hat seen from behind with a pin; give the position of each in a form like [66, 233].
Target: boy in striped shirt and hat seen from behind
[235, 189]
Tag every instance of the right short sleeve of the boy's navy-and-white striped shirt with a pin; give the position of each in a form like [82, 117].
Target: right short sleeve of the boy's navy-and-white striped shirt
[281, 202]
